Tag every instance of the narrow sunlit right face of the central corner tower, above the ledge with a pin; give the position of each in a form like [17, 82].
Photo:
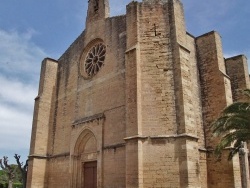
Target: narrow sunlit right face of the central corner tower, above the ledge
[182, 70]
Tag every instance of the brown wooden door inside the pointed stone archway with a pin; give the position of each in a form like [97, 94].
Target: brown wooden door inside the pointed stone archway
[90, 174]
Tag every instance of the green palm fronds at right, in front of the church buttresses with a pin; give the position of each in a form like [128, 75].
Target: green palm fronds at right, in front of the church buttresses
[233, 126]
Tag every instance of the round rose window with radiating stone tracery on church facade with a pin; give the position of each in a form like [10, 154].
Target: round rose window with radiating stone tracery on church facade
[95, 59]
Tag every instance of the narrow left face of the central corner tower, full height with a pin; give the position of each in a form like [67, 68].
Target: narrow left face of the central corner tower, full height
[133, 101]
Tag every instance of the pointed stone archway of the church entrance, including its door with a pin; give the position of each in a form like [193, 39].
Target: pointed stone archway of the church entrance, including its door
[85, 161]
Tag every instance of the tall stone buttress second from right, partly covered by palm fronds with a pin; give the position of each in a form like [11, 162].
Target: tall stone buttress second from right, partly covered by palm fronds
[216, 95]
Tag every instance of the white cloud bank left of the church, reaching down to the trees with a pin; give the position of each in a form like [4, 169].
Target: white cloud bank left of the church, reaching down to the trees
[20, 61]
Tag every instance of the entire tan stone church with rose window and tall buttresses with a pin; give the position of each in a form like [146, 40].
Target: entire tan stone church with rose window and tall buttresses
[130, 102]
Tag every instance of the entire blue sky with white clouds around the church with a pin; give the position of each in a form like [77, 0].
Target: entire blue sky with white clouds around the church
[32, 30]
